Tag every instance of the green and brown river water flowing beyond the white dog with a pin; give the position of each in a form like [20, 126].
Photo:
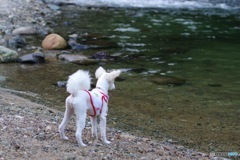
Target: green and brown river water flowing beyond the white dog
[197, 42]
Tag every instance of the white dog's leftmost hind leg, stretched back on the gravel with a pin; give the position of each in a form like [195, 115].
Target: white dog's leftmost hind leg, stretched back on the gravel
[67, 115]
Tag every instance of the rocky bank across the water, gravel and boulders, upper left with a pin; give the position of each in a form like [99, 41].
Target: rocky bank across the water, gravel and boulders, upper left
[20, 19]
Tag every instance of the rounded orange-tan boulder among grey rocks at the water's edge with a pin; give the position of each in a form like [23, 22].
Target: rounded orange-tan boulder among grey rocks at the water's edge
[54, 41]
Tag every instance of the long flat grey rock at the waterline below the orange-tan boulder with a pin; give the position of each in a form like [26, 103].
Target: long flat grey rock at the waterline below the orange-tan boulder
[76, 58]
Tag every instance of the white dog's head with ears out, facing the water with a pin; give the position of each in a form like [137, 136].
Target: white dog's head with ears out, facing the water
[110, 77]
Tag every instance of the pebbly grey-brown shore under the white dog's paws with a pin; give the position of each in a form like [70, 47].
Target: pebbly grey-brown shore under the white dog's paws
[29, 131]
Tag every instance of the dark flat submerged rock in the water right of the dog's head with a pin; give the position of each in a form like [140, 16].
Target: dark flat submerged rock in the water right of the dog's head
[168, 80]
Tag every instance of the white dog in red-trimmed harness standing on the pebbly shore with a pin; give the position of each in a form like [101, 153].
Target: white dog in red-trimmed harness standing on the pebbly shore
[83, 102]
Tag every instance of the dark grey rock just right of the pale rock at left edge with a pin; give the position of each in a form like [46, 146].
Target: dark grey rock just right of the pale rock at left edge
[33, 58]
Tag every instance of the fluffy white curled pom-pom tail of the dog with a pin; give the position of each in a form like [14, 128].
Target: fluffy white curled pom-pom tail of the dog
[79, 80]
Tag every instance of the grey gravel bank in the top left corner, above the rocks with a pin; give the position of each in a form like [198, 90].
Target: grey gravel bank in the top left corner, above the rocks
[21, 13]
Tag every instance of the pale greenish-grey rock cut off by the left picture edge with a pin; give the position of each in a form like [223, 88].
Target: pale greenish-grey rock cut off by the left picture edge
[7, 55]
